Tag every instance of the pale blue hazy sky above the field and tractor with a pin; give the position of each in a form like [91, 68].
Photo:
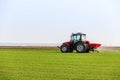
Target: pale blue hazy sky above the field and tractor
[52, 21]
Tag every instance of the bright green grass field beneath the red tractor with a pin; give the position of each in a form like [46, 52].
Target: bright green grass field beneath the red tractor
[51, 64]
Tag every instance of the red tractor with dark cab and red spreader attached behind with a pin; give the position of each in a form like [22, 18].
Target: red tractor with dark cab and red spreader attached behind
[78, 43]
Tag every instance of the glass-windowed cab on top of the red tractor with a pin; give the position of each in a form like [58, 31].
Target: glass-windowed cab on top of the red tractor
[78, 37]
